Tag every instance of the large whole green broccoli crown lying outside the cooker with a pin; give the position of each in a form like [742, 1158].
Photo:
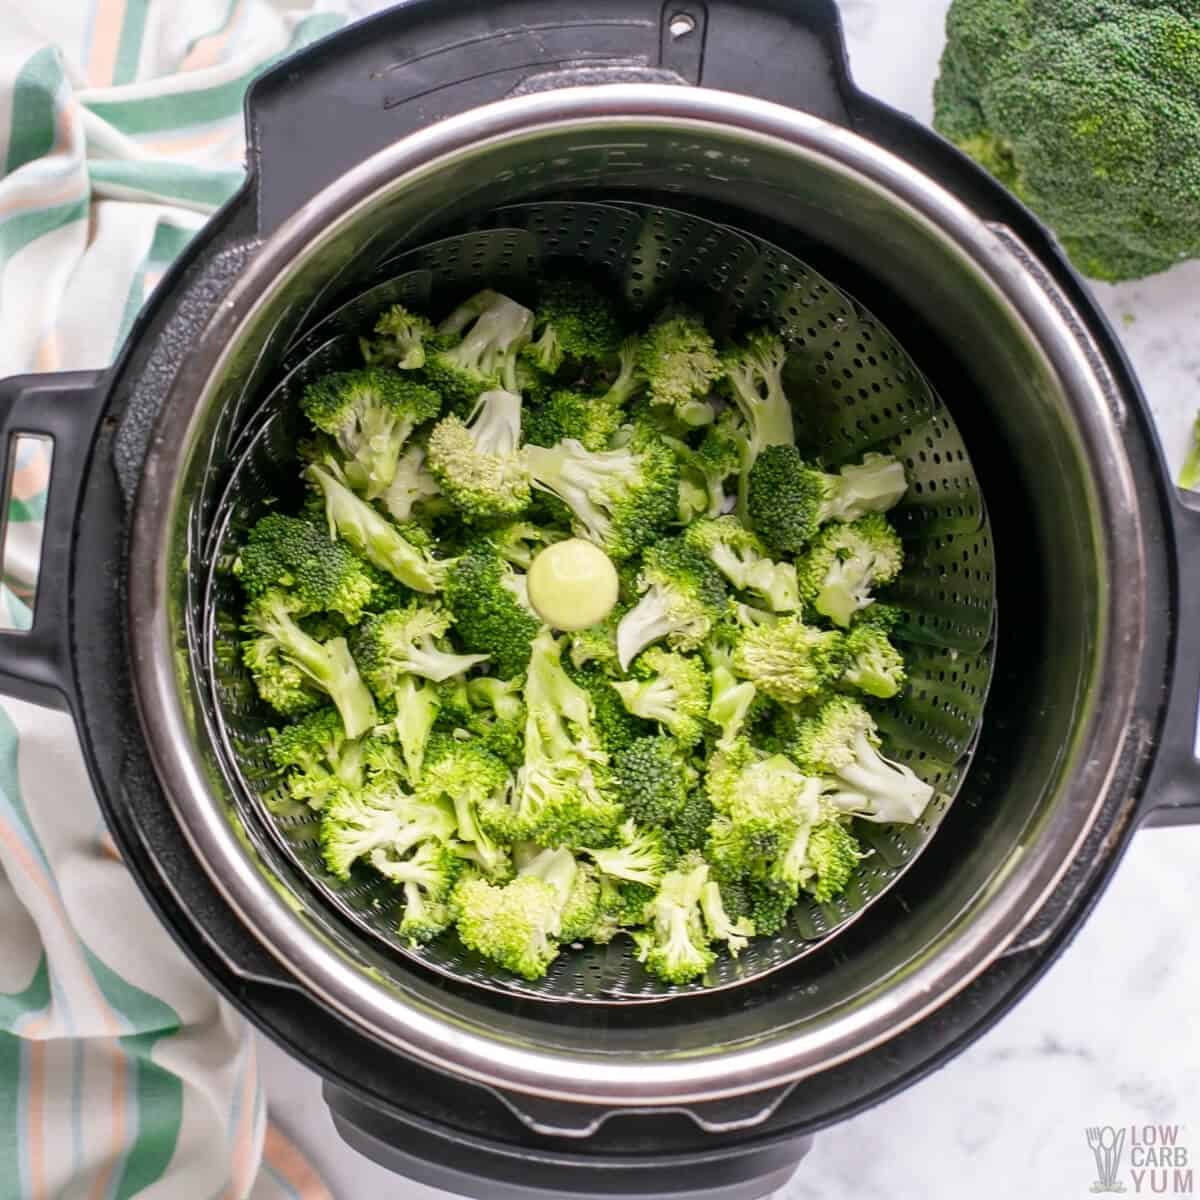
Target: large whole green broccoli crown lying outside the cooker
[1089, 112]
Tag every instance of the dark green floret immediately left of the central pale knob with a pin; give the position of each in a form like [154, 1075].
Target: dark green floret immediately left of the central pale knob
[485, 596]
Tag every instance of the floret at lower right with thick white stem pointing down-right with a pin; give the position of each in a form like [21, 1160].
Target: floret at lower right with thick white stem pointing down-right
[843, 742]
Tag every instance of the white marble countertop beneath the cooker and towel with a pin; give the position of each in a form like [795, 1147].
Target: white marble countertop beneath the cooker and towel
[1111, 1036]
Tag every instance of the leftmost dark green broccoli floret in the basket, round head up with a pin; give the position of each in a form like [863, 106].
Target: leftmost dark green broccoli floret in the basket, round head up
[301, 559]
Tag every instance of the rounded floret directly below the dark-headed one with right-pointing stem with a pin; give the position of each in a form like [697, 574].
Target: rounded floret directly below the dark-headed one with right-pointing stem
[845, 563]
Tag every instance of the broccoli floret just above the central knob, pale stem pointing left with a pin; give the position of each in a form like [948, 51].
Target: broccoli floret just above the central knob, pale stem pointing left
[622, 500]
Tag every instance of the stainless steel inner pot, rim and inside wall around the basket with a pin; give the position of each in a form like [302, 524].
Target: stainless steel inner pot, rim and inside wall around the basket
[1045, 399]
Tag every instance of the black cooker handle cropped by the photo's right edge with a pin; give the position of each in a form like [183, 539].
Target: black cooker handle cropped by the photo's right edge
[1173, 795]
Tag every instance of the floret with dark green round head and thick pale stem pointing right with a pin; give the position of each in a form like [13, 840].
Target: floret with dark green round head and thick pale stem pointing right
[790, 500]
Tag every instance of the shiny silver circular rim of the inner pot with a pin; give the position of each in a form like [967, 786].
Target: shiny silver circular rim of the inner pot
[970, 944]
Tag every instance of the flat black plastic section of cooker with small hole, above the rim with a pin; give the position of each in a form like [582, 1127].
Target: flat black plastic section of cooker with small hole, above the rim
[365, 88]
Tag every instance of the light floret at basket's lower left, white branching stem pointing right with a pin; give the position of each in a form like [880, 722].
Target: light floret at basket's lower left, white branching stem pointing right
[356, 824]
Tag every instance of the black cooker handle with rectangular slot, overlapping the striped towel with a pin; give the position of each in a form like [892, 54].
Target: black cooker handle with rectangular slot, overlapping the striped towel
[65, 407]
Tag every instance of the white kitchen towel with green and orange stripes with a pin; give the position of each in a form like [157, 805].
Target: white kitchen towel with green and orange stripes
[122, 1072]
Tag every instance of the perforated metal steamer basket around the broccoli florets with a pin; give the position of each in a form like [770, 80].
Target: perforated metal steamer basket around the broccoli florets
[854, 389]
